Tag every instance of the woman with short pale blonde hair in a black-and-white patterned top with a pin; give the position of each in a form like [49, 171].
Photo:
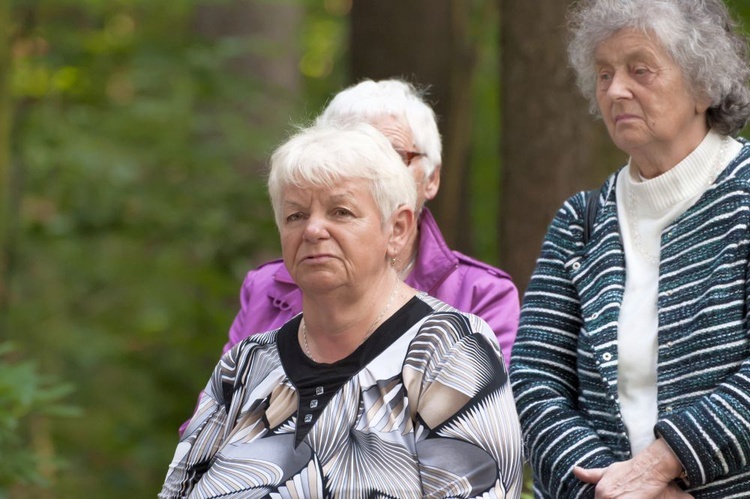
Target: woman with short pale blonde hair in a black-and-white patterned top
[374, 389]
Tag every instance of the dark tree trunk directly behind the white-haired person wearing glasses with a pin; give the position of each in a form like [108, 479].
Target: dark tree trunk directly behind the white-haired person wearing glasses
[426, 42]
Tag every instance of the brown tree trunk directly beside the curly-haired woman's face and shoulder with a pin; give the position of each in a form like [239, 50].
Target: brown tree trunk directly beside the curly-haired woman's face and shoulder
[551, 146]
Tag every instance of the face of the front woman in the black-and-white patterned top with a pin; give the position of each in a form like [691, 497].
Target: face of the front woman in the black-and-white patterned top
[333, 237]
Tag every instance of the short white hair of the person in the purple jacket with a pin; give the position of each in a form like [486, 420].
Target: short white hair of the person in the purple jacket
[369, 100]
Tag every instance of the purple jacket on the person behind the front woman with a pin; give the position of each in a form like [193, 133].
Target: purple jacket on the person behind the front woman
[269, 297]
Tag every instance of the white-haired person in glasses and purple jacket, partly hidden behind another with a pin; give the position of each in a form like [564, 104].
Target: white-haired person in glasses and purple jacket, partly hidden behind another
[269, 296]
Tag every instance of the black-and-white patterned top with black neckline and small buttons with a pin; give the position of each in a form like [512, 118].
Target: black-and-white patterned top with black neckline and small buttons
[423, 408]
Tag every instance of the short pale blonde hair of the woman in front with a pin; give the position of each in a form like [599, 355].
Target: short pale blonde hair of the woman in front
[324, 155]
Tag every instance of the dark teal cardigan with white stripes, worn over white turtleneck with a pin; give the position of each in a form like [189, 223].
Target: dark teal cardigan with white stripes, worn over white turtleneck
[564, 361]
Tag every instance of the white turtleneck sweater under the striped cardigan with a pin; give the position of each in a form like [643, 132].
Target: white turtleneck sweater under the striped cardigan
[644, 208]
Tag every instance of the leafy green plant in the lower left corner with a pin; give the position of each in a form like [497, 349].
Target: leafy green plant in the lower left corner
[26, 397]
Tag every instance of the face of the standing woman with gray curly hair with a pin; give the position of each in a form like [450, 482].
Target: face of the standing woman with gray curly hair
[644, 100]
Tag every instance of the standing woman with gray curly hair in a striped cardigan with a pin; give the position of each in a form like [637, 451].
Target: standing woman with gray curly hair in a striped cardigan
[631, 370]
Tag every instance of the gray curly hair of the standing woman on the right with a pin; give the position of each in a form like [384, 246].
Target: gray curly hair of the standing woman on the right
[699, 35]
